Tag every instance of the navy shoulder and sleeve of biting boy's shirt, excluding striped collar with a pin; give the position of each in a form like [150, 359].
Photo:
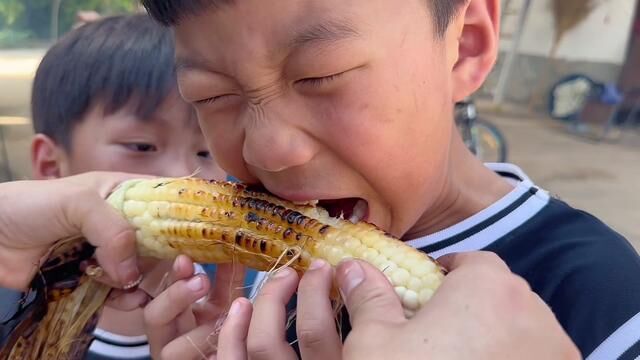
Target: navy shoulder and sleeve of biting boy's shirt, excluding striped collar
[588, 275]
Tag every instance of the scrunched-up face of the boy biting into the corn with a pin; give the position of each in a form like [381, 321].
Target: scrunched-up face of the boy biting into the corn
[348, 102]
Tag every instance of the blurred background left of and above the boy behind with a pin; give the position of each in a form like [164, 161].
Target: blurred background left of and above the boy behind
[27, 29]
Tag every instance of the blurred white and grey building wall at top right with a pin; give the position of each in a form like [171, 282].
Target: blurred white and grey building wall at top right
[596, 47]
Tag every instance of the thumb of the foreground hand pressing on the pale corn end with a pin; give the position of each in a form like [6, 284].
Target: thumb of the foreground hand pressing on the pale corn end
[368, 294]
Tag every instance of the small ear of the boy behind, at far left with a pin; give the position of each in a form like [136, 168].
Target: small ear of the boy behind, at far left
[47, 158]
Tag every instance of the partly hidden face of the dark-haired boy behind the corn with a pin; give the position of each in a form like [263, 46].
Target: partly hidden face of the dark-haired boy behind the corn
[168, 144]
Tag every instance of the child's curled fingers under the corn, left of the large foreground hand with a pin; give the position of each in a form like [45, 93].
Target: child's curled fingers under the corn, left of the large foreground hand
[179, 328]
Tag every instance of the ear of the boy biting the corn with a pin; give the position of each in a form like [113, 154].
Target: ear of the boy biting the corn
[476, 32]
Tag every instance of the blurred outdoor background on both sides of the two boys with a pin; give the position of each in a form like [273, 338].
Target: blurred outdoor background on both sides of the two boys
[563, 101]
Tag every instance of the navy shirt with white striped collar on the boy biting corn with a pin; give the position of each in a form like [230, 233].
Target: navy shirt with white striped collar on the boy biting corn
[588, 274]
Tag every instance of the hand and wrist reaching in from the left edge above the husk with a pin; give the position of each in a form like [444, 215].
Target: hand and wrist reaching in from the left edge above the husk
[36, 214]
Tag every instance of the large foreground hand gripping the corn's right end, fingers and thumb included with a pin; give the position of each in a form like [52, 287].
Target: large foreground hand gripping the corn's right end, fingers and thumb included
[481, 311]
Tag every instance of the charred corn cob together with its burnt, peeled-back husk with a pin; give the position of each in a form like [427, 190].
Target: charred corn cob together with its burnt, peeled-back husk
[212, 222]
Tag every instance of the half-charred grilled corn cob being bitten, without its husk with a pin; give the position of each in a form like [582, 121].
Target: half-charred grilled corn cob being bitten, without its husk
[219, 222]
